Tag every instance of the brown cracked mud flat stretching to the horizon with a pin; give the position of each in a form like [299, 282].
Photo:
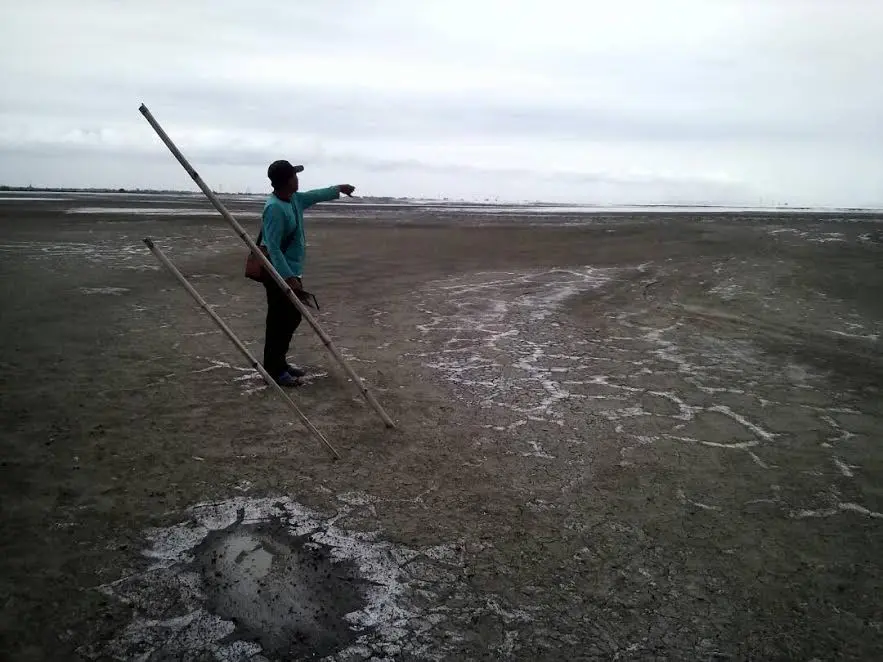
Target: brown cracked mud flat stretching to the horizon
[619, 437]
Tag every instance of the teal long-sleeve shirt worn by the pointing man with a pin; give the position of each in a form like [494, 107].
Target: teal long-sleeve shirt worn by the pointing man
[282, 219]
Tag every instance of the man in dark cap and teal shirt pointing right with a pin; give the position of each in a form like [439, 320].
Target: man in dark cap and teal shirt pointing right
[282, 232]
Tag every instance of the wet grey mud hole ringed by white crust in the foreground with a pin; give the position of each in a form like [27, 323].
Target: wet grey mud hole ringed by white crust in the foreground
[269, 579]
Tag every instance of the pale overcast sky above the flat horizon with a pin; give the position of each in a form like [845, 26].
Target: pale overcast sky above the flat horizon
[722, 101]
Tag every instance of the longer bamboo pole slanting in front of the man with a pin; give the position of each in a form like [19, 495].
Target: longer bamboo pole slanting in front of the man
[326, 340]
